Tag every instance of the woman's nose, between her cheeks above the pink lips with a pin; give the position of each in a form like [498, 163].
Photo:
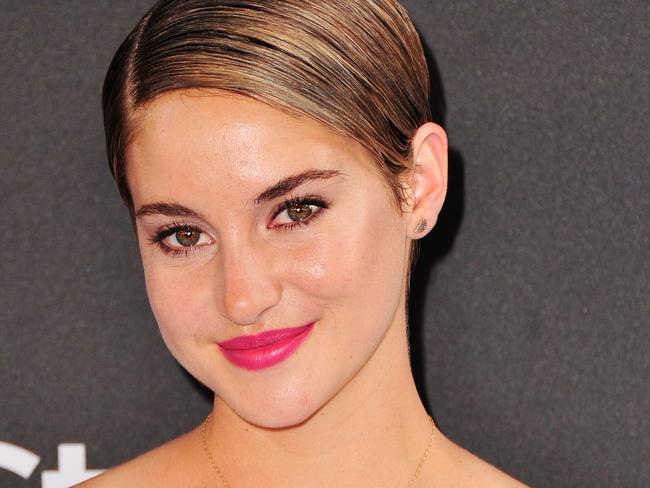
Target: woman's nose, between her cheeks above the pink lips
[250, 285]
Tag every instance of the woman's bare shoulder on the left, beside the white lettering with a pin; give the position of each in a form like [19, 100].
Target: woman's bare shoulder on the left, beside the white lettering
[175, 463]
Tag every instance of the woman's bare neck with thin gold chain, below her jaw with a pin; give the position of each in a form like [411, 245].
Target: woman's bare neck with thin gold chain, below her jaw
[373, 432]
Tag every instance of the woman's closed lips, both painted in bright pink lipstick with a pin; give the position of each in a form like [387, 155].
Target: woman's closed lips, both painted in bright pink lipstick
[266, 349]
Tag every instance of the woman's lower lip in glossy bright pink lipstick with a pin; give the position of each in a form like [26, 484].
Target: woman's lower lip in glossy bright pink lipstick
[262, 357]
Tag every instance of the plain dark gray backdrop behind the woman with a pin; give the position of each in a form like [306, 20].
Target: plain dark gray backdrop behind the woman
[531, 304]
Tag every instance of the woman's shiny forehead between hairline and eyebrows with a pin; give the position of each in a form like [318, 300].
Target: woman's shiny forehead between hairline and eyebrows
[219, 139]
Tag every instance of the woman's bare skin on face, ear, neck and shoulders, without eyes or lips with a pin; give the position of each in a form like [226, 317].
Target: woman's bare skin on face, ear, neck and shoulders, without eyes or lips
[343, 410]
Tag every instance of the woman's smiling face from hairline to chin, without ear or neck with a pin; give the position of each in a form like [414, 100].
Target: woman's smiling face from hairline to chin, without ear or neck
[229, 252]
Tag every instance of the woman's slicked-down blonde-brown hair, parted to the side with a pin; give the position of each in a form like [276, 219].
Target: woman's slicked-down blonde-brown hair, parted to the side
[356, 66]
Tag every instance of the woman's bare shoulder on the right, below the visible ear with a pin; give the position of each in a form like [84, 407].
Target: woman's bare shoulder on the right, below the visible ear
[457, 467]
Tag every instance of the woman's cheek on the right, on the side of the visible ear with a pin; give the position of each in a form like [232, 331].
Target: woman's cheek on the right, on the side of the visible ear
[354, 269]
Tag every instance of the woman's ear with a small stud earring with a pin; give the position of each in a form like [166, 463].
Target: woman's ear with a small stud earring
[427, 185]
